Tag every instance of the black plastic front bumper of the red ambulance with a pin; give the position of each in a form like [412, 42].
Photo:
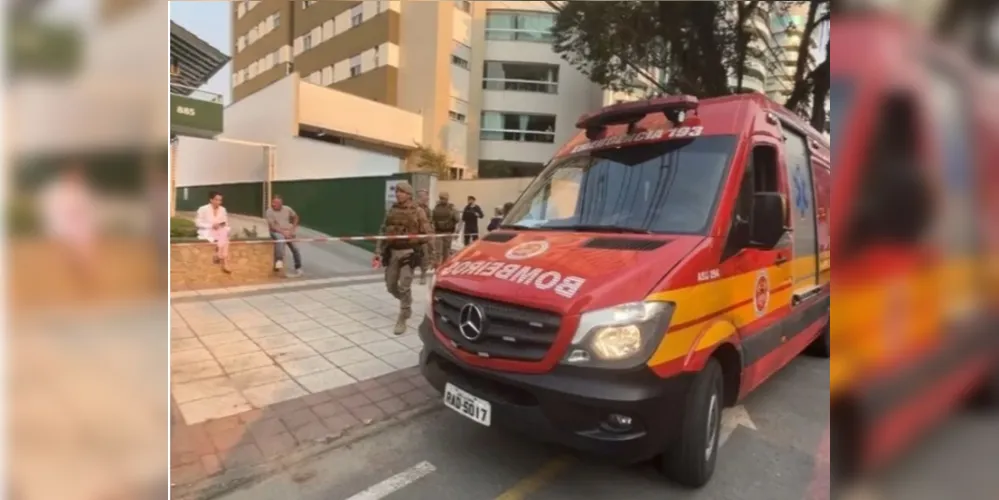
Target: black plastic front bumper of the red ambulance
[623, 417]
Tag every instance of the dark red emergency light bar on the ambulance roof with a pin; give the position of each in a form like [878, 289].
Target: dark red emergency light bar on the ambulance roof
[674, 108]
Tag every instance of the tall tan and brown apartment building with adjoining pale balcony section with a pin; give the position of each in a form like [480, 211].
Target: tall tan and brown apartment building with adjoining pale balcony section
[482, 74]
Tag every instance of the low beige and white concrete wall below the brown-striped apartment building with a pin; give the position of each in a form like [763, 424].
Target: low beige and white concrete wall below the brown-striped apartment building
[271, 116]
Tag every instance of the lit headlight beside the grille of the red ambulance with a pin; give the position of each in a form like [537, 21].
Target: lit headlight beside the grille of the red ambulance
[622, 336]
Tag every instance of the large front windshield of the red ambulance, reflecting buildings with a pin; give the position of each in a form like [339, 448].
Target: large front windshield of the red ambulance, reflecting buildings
[665, 187]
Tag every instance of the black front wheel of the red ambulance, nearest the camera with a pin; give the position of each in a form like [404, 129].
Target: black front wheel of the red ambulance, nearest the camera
[691, 460]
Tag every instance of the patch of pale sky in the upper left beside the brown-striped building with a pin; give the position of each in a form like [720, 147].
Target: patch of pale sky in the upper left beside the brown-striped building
[211, 21]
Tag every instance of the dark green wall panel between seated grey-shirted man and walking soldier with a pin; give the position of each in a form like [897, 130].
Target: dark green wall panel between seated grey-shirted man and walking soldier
[338, 207]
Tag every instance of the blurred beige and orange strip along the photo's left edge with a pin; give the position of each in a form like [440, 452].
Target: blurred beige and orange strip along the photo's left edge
[88, 312]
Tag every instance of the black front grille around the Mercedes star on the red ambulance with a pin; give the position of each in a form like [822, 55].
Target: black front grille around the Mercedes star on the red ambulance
[509, 332]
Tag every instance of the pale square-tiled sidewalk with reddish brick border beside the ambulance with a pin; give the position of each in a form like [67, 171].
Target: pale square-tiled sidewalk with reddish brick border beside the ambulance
[265, 373]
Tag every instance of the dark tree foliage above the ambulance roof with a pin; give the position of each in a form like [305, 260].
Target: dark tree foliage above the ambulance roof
[699, 44]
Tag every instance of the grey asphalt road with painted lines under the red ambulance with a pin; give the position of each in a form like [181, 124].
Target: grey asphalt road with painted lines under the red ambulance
[442, 455]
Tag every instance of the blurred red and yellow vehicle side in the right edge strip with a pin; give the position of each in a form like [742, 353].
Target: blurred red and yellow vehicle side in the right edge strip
[915, 211]
